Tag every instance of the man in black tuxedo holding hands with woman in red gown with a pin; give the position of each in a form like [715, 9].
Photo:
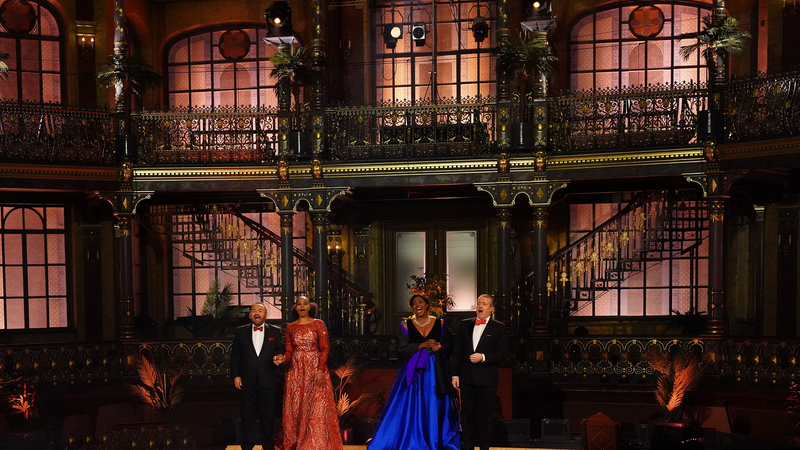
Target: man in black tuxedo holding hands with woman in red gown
[257, 351]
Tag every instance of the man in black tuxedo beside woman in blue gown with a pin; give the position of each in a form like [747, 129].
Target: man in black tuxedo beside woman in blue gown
[481, 345]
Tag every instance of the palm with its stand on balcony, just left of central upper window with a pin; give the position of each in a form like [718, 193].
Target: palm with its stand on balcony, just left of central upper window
[293, 72]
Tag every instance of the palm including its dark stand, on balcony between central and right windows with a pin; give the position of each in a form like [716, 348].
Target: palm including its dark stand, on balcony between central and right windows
[524, 62]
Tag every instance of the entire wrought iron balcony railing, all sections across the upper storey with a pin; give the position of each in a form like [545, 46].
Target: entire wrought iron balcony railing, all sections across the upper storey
[651, 117]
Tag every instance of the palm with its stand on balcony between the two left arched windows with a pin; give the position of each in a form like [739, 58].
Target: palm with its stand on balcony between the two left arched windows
[127, 74]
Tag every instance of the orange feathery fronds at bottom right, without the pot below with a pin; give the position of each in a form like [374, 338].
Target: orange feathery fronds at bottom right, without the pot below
[677, 374]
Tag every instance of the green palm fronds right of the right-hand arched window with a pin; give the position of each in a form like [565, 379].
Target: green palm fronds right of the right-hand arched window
[715, 41]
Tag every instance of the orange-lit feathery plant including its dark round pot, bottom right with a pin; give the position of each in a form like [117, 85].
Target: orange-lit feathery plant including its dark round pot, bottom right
[678, 374]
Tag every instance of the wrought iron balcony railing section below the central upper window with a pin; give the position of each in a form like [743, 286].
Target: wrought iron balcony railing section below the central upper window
[405, 131]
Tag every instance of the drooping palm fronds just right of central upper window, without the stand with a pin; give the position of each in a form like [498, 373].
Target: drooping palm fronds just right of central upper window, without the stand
[524, 62]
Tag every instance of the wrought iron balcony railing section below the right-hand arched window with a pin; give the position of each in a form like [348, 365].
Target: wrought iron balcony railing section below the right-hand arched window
[655, 116]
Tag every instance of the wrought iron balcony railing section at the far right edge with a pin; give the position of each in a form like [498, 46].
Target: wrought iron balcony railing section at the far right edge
[765, 106]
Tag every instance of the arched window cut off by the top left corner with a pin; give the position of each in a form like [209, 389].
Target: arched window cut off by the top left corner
[30, 34]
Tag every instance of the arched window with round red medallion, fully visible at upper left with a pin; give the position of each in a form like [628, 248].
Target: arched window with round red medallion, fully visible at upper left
[221, 67]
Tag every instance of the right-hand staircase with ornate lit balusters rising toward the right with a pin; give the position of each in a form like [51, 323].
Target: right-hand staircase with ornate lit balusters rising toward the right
[653, 228]
